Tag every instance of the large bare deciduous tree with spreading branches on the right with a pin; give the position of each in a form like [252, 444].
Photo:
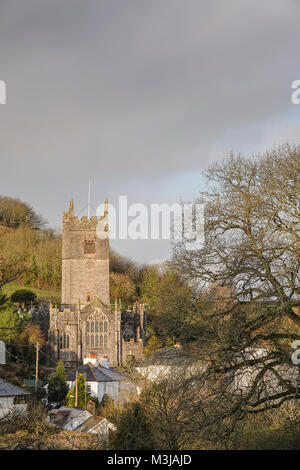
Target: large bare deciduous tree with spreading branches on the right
[248, 278]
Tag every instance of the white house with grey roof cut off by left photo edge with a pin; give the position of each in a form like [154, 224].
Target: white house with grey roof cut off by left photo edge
[13, 399]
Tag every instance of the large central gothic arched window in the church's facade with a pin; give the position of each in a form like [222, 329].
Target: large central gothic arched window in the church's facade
[96, 330]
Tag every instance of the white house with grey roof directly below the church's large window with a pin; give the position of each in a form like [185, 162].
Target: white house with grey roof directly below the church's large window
[103, 380]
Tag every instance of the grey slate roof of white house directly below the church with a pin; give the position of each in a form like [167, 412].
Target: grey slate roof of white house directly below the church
[96, 374]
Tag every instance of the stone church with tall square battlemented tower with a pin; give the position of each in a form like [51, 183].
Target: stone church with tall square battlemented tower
[85, 325]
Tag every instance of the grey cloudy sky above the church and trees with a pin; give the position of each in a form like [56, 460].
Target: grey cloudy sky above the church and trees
[140, 95]
